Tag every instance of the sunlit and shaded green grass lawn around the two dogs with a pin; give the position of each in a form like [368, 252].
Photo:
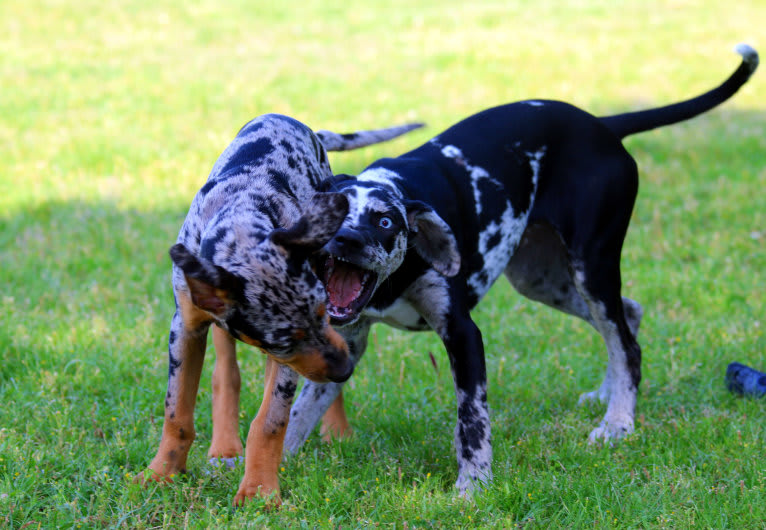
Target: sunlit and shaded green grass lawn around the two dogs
[111, 116]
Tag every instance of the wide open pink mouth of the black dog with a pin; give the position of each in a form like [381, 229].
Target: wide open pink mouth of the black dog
[349, 286]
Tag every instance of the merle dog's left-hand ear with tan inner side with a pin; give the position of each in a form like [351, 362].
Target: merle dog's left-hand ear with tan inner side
[213, 288]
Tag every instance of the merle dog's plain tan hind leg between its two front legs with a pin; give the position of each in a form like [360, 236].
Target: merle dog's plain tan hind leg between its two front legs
[226, 388]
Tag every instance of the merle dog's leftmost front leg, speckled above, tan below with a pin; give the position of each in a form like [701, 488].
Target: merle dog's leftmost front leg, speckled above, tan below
[186, 354]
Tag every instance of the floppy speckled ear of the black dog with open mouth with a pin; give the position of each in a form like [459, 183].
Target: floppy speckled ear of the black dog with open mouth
[432, 238]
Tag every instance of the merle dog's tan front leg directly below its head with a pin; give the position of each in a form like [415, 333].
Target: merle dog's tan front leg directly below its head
[263, 450]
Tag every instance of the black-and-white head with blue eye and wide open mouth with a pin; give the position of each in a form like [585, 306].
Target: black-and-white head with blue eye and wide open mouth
[373, 240]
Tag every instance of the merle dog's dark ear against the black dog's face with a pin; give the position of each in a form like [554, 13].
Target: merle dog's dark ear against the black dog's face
[322, 217]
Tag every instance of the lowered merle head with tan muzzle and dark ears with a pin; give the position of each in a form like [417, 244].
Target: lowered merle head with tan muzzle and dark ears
[268, 294]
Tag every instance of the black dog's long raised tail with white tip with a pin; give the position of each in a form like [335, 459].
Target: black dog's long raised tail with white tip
[634, 122]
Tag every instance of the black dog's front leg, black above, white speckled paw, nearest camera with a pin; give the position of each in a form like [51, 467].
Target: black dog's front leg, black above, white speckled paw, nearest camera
[472, 432]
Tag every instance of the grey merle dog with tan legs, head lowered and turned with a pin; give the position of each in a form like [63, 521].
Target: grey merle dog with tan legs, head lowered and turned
[241, 263]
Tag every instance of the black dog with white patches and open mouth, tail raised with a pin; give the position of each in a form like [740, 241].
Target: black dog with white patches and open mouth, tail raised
[539, 190]
